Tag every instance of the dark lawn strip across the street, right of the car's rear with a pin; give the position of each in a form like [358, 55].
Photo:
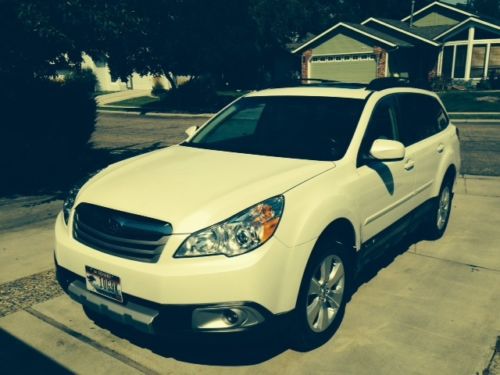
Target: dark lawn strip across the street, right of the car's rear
[471, 101]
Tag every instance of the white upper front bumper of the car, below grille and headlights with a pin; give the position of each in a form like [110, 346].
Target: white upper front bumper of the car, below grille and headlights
[269, 276]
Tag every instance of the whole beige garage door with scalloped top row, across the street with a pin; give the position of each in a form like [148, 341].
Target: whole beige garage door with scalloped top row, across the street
[346, 68]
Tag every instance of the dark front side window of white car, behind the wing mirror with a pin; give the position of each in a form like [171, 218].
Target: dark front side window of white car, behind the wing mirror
[382, 125]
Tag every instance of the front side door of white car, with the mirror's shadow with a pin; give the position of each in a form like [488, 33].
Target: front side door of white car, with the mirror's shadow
[384, 187]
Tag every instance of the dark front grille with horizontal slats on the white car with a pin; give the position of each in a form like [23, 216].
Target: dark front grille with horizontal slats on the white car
[119, 233]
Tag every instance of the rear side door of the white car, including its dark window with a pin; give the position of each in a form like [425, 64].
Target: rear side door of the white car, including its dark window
[420, 121]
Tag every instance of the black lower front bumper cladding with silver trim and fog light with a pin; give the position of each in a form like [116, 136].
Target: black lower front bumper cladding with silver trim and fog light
[152, 318]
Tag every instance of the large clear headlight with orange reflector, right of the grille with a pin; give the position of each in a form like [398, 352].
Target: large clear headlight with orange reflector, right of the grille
[237, 235]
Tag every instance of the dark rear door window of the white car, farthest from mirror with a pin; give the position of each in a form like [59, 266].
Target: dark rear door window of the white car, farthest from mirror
[420, 116]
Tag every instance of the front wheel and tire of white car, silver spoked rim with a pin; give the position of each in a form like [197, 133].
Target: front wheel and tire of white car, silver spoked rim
[323, 293]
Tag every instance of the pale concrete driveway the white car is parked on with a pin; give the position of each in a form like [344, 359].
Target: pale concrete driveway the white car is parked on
[425, 308]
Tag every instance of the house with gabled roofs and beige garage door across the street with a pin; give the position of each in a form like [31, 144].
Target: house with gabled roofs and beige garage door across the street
[437, 40]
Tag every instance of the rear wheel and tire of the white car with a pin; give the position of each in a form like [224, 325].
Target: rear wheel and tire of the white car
[436, 224]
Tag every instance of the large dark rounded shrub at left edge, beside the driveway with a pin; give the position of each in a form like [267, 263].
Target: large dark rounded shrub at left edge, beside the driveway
[45, 126]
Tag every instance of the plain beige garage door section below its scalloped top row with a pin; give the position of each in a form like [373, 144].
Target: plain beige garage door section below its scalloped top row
[346, 71]
